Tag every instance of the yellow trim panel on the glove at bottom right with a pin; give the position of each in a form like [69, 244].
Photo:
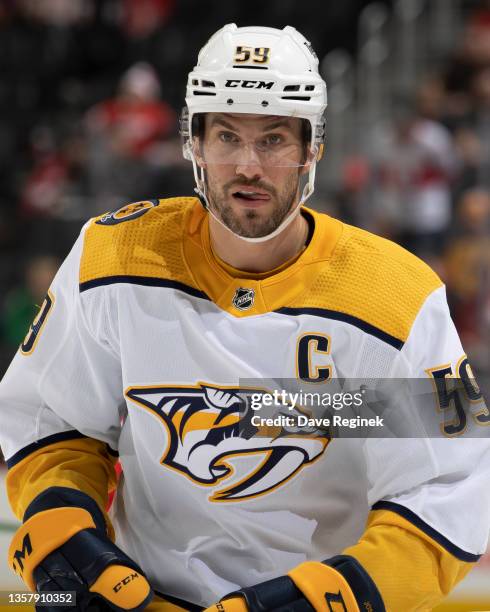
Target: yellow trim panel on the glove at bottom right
[315, 580]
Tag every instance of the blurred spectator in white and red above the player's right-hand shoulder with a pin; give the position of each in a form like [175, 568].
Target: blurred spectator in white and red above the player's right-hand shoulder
[414, 164]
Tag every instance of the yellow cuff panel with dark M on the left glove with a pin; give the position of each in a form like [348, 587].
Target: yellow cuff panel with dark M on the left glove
[40, 535]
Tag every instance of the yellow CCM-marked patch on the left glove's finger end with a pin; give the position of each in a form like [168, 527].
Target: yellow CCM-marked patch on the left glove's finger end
[122, 586]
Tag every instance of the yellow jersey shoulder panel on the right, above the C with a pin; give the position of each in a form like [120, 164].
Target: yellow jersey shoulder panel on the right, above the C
[372, 282]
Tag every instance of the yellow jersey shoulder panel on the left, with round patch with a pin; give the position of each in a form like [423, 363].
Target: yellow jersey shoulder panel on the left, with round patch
[139, 239]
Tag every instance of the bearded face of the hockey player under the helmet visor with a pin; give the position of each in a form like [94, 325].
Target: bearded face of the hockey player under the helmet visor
[253, 164]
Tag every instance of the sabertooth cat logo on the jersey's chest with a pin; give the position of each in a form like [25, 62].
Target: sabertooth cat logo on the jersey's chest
[211, 441]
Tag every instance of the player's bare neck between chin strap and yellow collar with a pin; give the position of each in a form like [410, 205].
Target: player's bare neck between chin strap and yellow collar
[262, 256]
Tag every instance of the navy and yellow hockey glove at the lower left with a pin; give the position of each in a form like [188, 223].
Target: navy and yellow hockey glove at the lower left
[63, 546]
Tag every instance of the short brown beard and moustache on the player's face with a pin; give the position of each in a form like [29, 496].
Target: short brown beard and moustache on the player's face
[252, 223]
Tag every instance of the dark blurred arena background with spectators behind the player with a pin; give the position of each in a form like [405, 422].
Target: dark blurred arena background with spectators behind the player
[91, 91]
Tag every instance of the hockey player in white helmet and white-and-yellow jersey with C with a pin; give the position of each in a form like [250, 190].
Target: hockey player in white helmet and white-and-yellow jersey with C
[159, 311]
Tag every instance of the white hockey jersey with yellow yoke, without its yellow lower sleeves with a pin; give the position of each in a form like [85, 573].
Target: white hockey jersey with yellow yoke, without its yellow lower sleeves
[142, 343]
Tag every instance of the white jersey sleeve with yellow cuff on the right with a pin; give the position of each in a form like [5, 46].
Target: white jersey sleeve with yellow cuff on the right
[424, 524]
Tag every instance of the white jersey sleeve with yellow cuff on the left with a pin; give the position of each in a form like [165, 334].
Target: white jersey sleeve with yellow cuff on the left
[61, 398]
